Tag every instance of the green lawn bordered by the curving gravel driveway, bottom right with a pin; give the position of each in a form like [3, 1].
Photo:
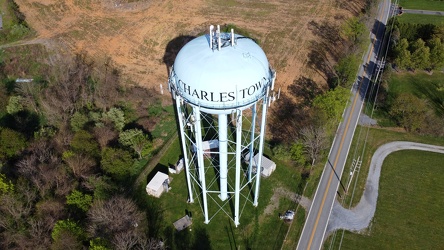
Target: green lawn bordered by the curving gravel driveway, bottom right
[410, 208]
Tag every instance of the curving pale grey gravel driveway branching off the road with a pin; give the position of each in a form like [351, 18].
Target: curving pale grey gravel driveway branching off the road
[359, 217]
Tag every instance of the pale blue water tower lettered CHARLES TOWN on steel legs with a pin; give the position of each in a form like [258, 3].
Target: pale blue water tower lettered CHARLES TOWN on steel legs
[221, 84]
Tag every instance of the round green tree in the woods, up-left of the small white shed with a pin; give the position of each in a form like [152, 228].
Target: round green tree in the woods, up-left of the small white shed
[116, 162]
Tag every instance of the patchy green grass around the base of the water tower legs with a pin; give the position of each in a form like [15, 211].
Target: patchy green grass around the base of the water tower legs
[257, 230]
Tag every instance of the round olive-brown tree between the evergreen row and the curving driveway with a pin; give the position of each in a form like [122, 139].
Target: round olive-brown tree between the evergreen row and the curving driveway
[409, 111]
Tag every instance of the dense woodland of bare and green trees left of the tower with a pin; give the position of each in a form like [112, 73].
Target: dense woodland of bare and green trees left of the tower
[70, 142]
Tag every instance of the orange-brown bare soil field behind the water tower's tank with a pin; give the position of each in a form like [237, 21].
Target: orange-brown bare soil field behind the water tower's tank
[135, 34]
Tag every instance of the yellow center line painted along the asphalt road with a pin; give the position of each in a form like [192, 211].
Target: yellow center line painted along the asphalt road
[341, 144]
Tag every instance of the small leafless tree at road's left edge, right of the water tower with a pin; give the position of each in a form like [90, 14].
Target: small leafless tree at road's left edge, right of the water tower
[315, 141]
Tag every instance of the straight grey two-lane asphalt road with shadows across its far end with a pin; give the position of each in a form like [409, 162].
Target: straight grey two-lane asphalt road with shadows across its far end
[315, 226]
